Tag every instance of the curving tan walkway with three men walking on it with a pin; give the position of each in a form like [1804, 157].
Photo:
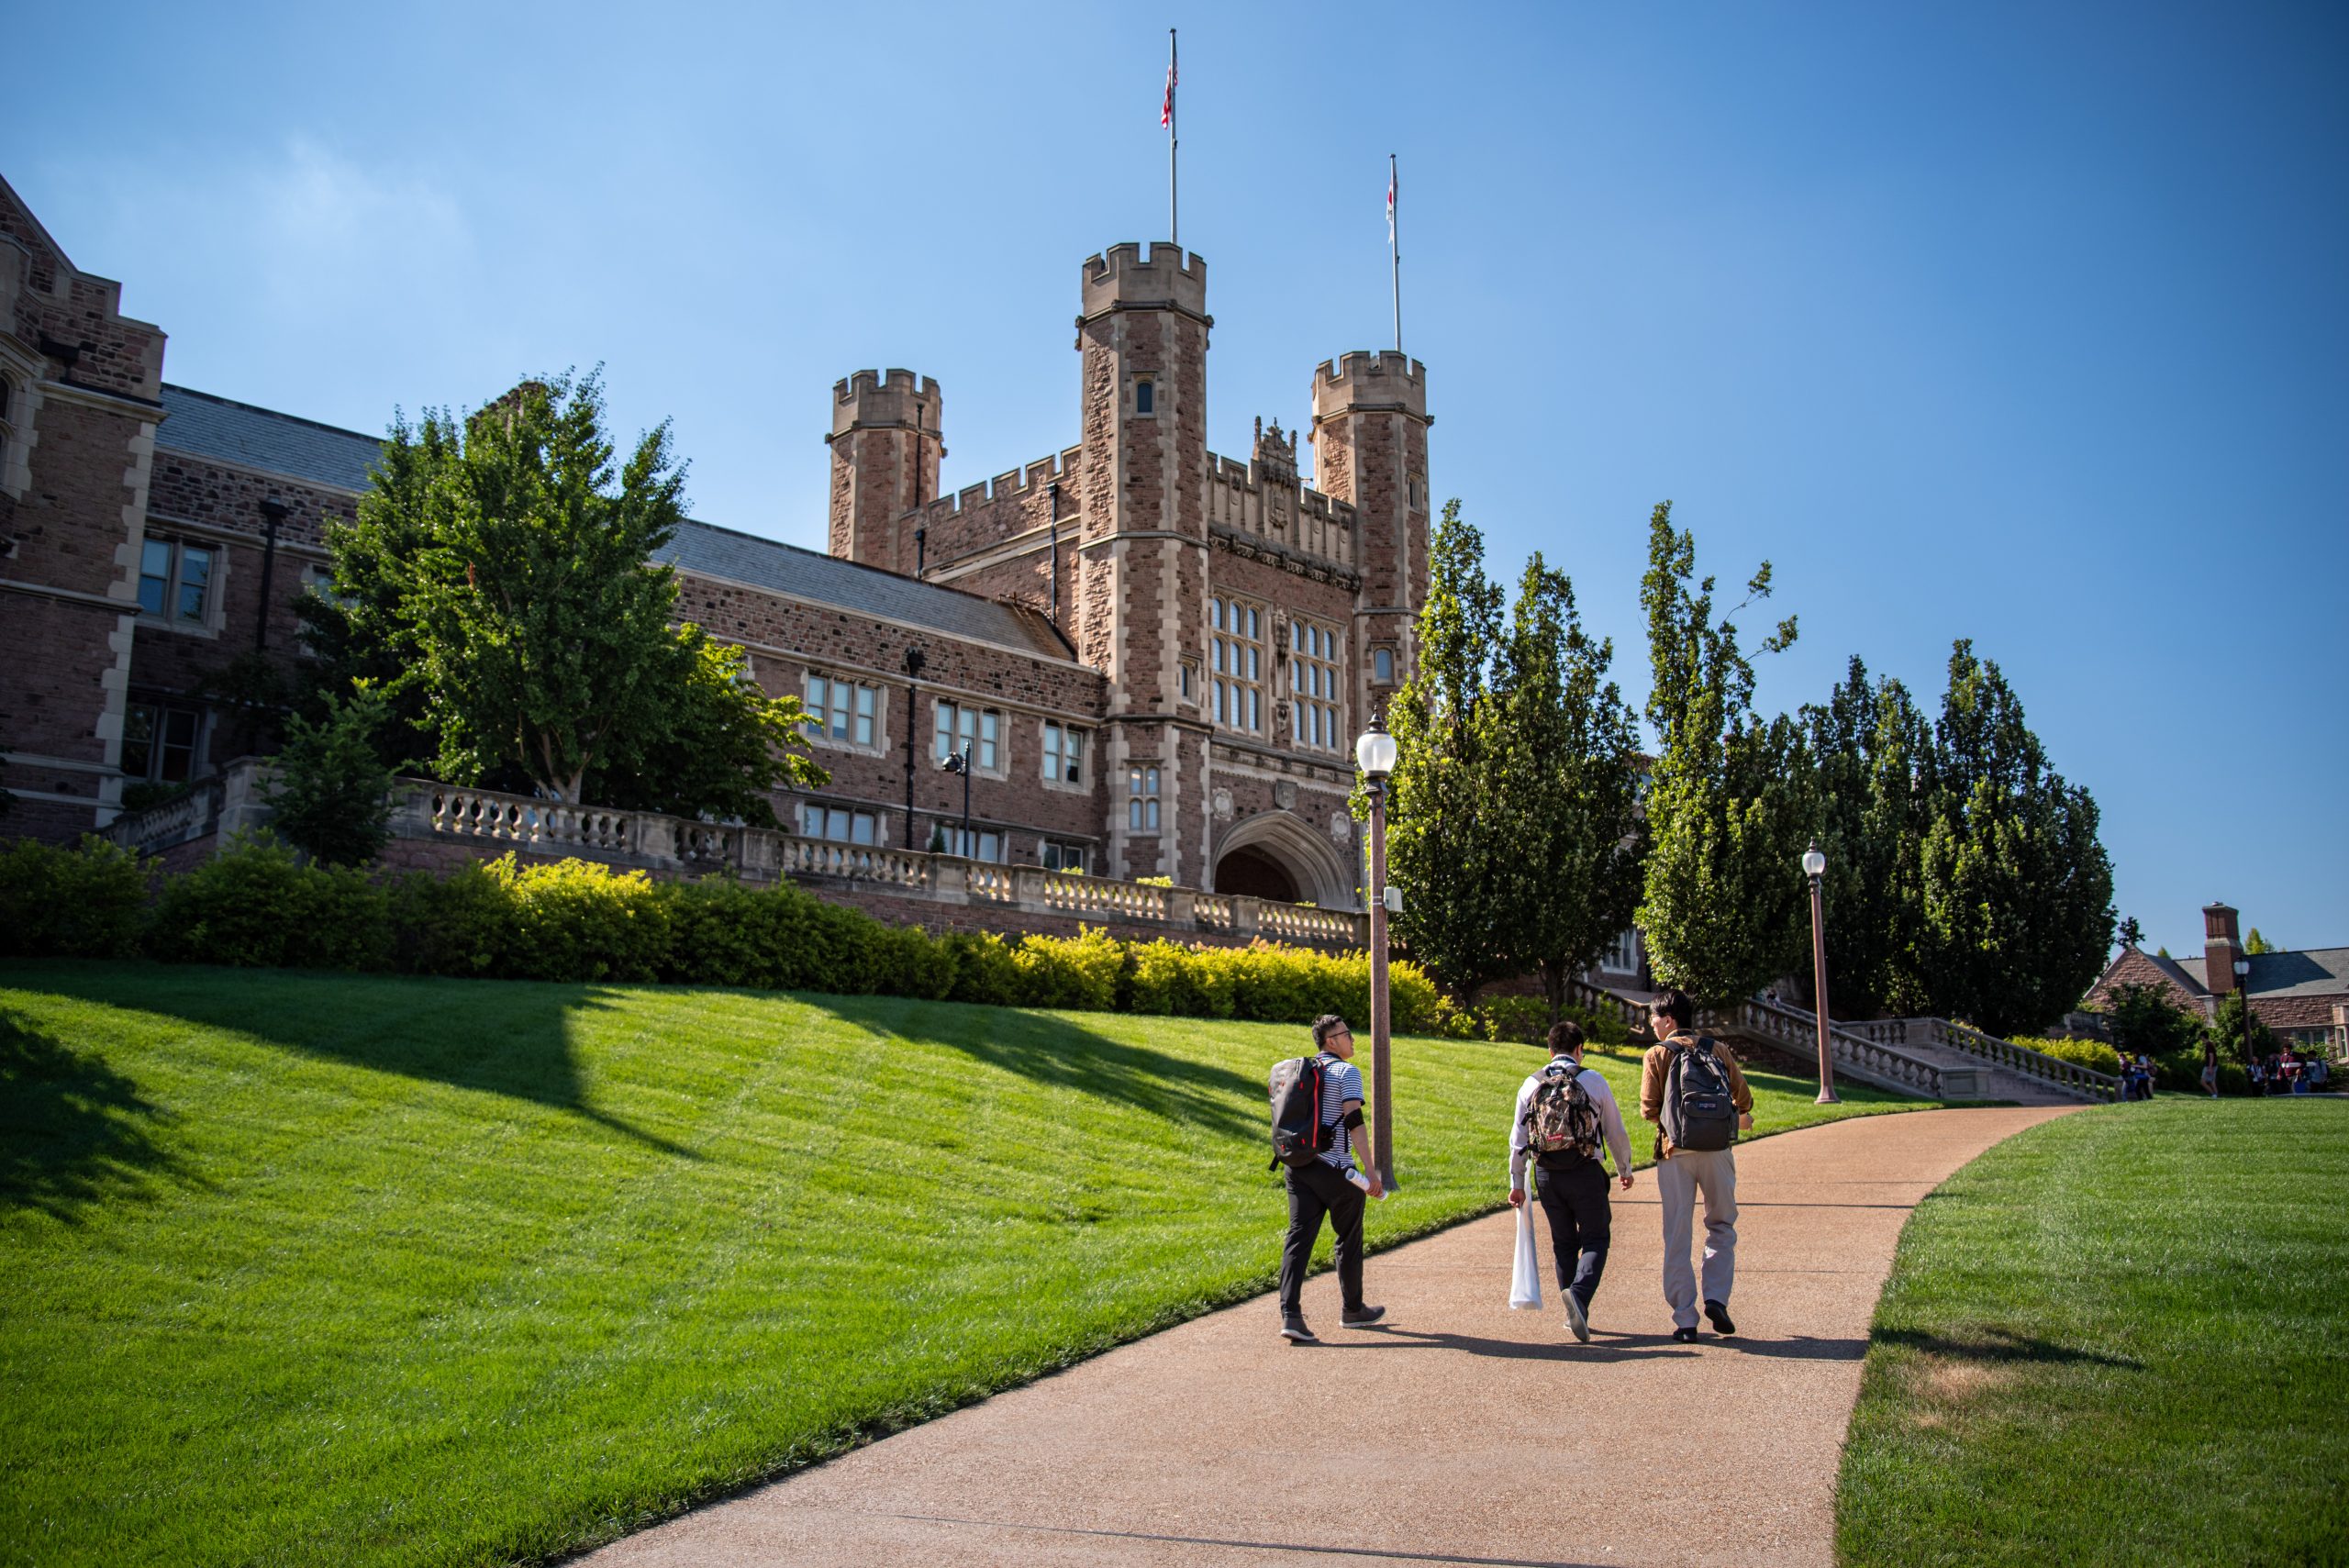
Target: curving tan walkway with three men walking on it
[1453, 1433]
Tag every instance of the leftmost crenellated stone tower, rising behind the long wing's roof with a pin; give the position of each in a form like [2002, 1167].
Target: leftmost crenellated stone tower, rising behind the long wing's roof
[884, 464]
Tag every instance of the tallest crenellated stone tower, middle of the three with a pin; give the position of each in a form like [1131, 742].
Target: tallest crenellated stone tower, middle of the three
[1143, 543]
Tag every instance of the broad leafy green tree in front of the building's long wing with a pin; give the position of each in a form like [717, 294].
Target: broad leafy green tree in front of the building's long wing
[499, 586]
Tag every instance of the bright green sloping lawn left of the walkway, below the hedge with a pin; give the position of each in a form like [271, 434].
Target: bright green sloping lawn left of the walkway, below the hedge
[398, 1271]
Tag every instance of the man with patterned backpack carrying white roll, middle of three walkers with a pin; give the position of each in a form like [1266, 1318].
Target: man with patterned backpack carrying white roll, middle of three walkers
[1563, 1114]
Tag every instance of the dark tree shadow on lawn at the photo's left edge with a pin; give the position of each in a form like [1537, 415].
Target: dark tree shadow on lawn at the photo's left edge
[74, 1130]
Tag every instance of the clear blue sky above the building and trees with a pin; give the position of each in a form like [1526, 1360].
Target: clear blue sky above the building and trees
[2014, 323]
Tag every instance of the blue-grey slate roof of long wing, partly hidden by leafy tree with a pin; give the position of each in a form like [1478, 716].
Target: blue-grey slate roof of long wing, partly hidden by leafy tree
[274, 442]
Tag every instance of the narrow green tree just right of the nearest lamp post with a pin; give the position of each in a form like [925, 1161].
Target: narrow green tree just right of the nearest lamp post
[1441, 849]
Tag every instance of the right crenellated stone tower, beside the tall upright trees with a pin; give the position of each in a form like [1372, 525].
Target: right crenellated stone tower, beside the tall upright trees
[1371, 450]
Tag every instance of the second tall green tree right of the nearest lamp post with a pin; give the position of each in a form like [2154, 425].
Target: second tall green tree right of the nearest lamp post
[1566, 790]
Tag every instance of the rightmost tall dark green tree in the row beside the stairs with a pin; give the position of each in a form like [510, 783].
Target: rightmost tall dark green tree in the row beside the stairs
[2017, 884]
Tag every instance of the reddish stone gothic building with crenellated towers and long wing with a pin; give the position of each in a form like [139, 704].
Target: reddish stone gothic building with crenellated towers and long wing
[1157, 656]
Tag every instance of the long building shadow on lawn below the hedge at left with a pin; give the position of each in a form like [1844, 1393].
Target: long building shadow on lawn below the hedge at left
[497, 1039]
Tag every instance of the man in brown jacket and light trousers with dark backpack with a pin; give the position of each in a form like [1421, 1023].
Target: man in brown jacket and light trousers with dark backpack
[1671, 1086]
